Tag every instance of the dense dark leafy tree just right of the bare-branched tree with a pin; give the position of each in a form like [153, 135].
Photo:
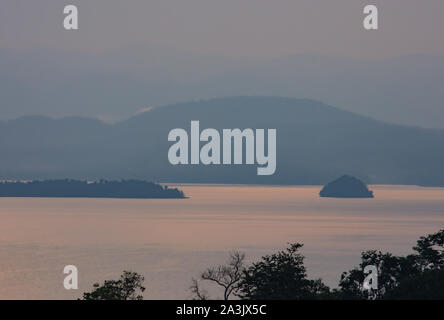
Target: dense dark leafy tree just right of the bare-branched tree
[280, 276]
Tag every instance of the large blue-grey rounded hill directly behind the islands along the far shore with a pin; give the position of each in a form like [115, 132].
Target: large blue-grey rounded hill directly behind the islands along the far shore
[315, 142]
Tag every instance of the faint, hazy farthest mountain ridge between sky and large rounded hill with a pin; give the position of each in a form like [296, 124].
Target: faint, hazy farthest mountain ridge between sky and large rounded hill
[404, 90]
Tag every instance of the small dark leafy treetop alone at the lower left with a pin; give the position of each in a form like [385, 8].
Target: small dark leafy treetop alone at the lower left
[126, 288]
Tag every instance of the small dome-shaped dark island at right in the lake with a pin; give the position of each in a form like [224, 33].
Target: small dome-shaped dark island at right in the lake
[346, 187]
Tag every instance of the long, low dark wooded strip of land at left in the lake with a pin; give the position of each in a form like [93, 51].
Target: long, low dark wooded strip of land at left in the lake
[130, 189]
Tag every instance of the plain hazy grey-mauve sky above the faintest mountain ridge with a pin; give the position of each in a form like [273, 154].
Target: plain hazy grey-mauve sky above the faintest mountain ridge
[253, 28]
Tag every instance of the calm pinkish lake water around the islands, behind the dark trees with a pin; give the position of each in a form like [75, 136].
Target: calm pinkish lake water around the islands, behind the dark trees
[171, 241]
